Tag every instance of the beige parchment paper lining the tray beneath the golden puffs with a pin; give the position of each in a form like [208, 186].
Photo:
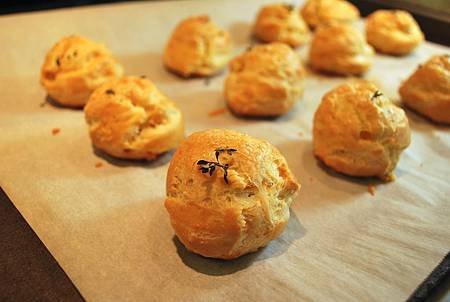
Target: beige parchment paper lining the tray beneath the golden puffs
[107, 226]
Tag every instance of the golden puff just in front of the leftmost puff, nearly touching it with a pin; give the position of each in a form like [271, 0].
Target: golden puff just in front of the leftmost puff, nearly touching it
[130, 118]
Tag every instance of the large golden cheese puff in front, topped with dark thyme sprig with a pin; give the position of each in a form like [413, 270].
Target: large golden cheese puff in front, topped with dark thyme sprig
[220, 220]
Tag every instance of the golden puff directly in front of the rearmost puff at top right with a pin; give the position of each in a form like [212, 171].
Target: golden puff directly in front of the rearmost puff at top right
[340, 49]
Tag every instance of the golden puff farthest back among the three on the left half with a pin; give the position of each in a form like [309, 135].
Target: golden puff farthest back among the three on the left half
[197, 47]
